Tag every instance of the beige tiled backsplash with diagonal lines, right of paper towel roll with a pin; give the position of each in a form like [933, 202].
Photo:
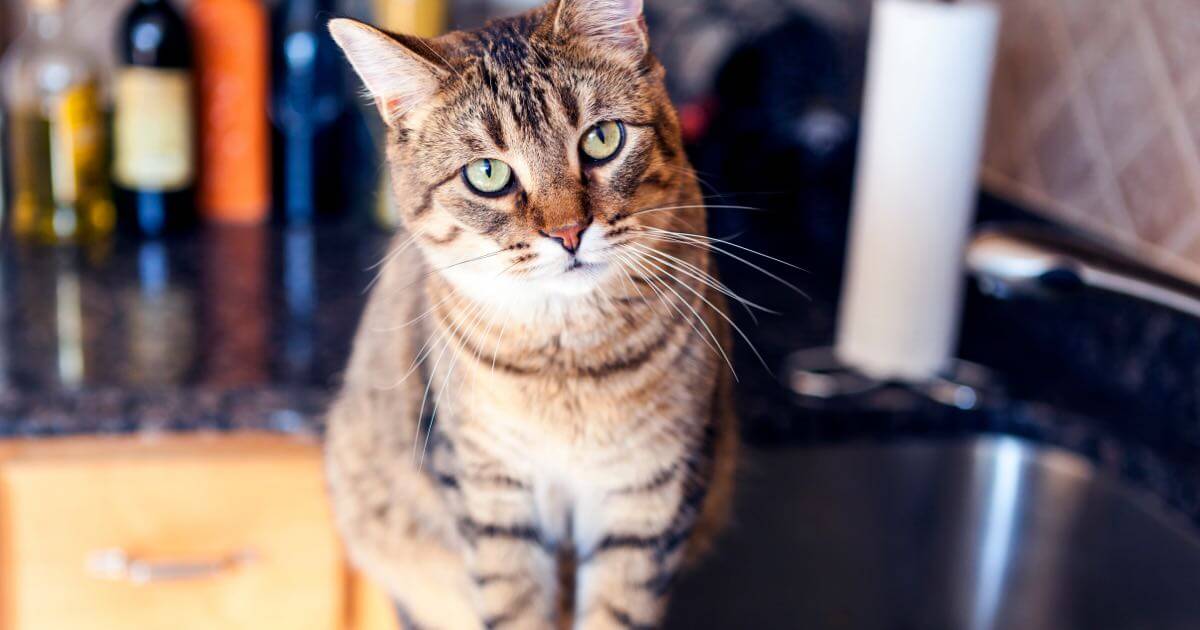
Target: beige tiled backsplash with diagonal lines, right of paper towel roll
[1096, 118]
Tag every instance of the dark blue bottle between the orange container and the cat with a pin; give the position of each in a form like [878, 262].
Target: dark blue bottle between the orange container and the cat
[309, 101]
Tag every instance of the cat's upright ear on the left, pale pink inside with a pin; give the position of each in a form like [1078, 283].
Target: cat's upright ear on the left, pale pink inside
[401, 73]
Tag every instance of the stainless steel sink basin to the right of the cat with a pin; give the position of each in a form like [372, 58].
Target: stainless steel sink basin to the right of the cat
[988, 533]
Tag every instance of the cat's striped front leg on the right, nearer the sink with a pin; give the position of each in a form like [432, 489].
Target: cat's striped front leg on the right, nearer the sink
[631, 545]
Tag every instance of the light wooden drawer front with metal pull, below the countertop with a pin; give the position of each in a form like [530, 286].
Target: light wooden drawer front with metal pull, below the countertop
[183, 506]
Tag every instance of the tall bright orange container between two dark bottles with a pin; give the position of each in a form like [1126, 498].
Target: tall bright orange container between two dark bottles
[232, 58]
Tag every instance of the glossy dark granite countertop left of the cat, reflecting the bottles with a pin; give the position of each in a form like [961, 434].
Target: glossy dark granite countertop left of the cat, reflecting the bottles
[229, 328]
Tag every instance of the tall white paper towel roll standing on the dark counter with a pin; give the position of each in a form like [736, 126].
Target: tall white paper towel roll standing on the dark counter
[929, 69]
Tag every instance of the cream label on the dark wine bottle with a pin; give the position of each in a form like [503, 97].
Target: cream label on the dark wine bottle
[154, 123]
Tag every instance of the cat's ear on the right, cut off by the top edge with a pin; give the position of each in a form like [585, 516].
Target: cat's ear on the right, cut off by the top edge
[614, 25]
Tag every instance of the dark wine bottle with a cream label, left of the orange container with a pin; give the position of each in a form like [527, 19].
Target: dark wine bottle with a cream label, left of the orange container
[154, 157]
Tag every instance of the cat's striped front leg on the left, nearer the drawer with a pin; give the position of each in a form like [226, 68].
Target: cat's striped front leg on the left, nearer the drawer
[511, 561]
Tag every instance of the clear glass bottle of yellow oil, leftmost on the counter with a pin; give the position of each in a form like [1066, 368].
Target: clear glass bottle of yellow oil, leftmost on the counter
[57, 136]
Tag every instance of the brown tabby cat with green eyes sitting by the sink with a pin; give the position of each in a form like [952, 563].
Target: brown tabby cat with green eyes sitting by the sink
[536, 428]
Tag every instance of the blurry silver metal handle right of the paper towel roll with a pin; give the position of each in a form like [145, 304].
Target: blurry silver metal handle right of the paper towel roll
[1024, 262]
